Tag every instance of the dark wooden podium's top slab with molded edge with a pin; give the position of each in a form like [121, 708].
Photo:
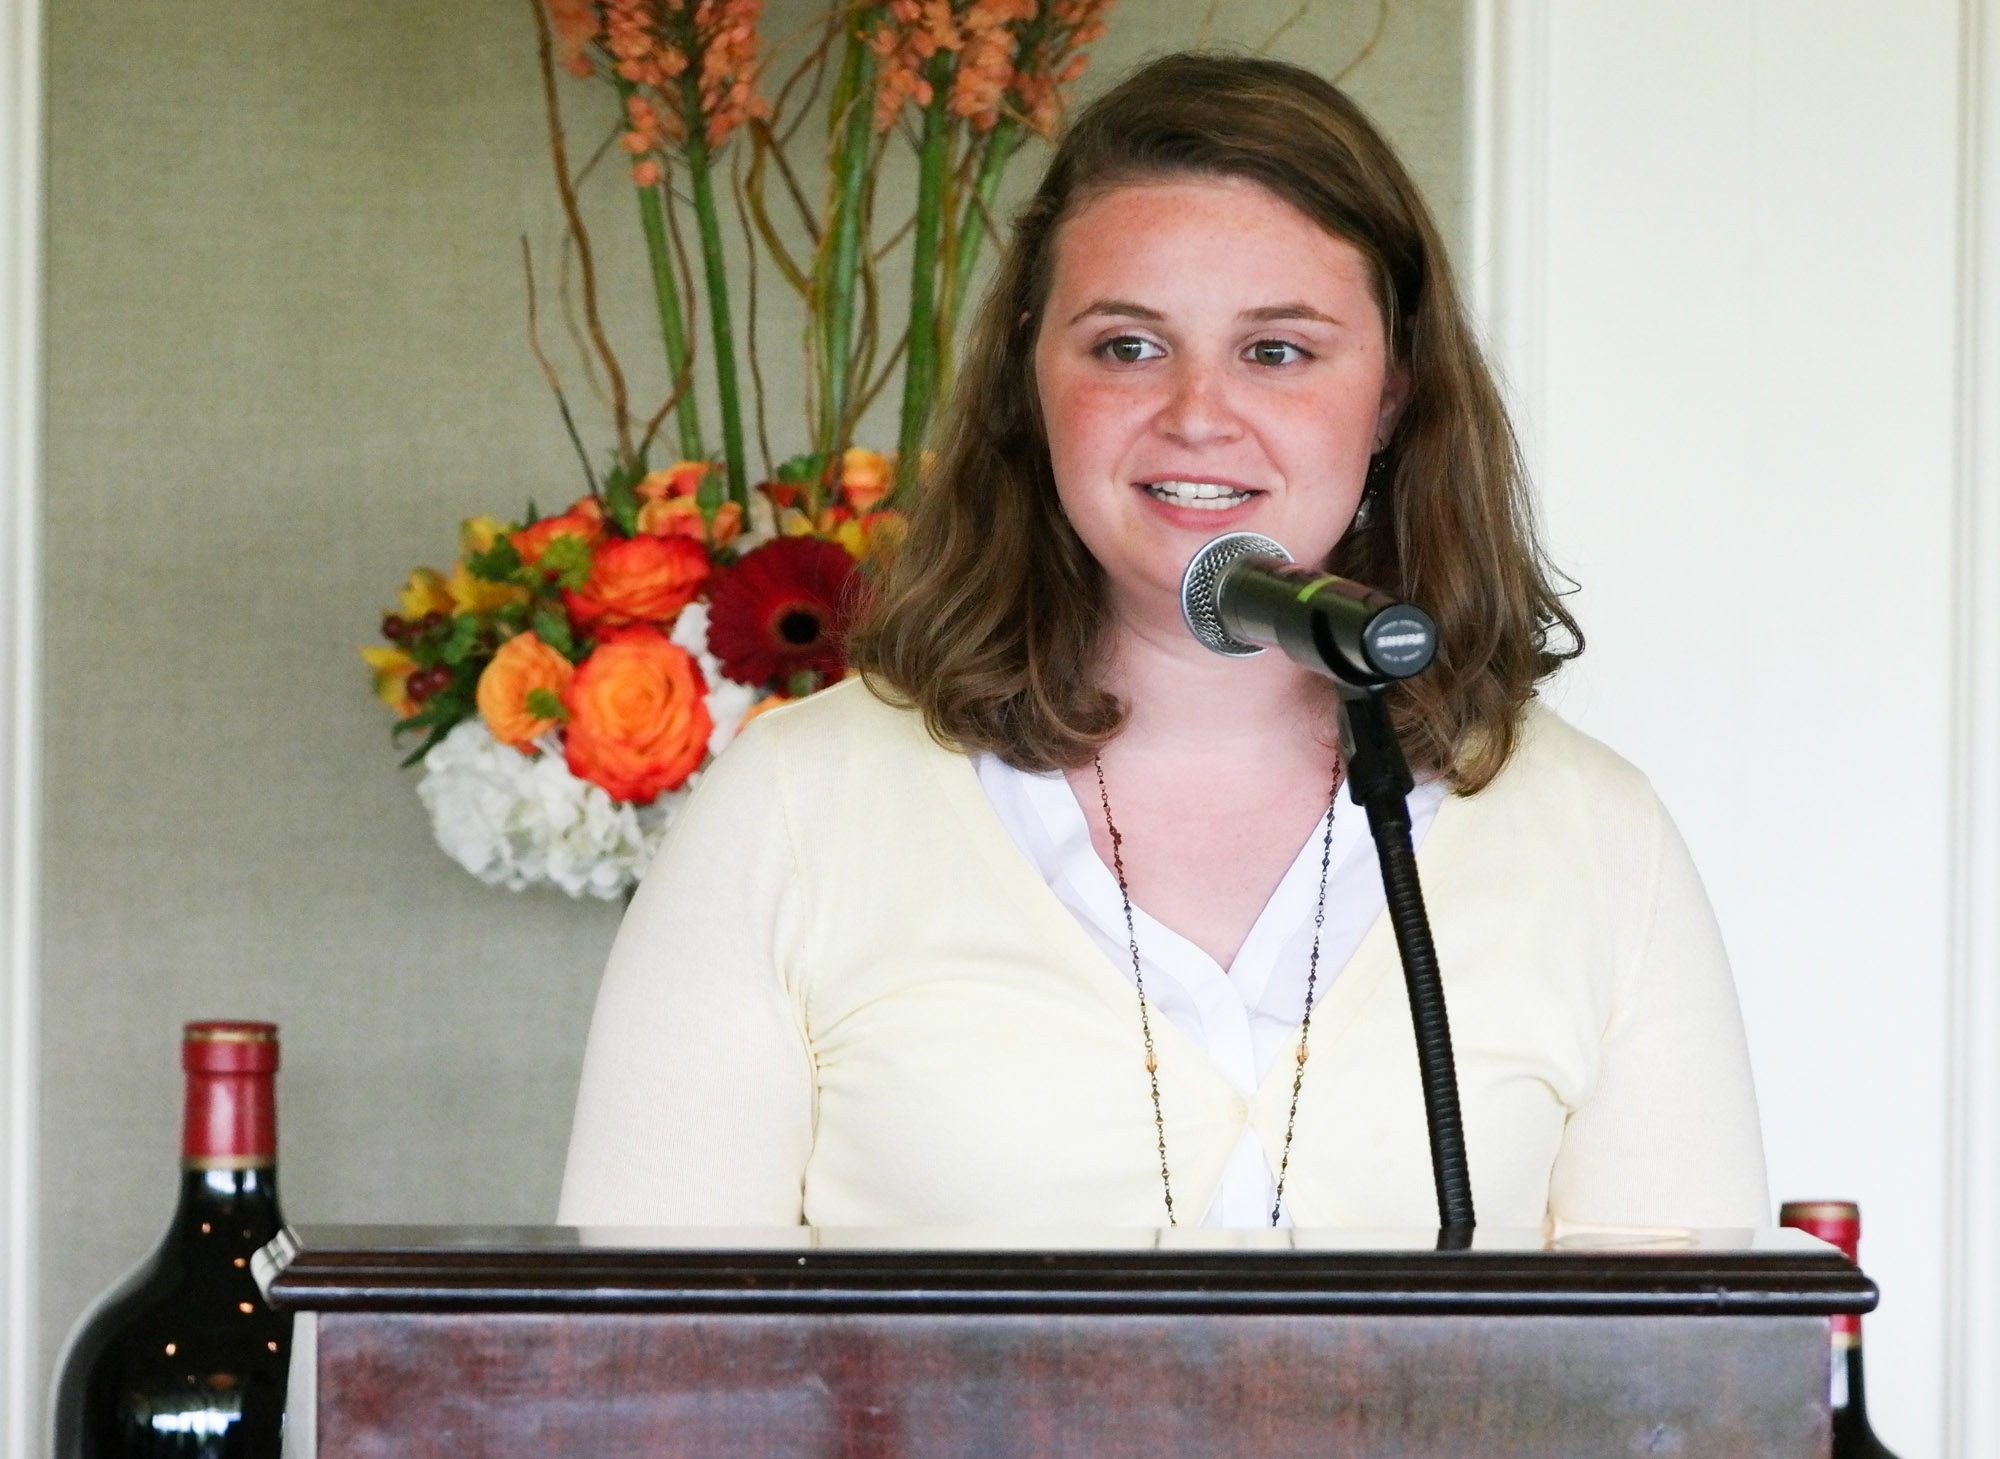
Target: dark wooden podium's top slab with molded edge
[1107, 1270]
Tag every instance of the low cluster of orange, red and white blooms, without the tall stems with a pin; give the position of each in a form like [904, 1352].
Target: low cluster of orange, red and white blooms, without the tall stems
[575, 673]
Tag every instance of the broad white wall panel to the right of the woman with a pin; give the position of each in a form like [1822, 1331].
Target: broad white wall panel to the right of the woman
[1745, 429]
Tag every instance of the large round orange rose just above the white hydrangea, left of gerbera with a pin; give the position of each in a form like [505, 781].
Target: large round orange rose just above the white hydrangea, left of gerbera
[639, 715]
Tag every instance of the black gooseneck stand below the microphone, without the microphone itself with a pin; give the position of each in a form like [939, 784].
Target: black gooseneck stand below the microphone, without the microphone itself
[1381, 782]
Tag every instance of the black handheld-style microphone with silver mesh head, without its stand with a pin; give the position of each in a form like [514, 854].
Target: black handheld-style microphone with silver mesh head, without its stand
[1243, 595]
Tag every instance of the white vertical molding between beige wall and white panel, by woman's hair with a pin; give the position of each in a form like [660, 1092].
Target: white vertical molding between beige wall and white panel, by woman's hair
[1507, 201]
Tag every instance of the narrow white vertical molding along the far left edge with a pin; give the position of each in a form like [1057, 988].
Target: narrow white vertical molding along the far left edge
[21, 774]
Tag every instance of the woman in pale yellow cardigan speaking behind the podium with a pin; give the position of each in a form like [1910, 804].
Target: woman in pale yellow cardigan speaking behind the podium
[1023, 924]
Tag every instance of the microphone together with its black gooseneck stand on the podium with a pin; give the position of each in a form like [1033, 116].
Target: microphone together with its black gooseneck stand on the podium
[1245, 595]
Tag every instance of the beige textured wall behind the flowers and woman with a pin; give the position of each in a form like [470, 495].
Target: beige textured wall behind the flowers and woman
[285, 357]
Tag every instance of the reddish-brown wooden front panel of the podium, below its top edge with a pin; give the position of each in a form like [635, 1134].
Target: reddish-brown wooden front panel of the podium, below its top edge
[913, 1386]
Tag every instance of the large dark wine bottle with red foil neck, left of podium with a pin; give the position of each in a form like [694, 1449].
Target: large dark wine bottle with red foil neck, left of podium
[185, 1360]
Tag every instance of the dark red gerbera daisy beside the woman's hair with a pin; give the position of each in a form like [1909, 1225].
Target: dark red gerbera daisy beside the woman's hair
[785, 611]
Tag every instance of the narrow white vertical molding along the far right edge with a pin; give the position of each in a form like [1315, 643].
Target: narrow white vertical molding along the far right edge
[1973, 1264]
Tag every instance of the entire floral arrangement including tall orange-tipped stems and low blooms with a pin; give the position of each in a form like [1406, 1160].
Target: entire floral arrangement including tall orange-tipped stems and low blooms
[575, 673]
